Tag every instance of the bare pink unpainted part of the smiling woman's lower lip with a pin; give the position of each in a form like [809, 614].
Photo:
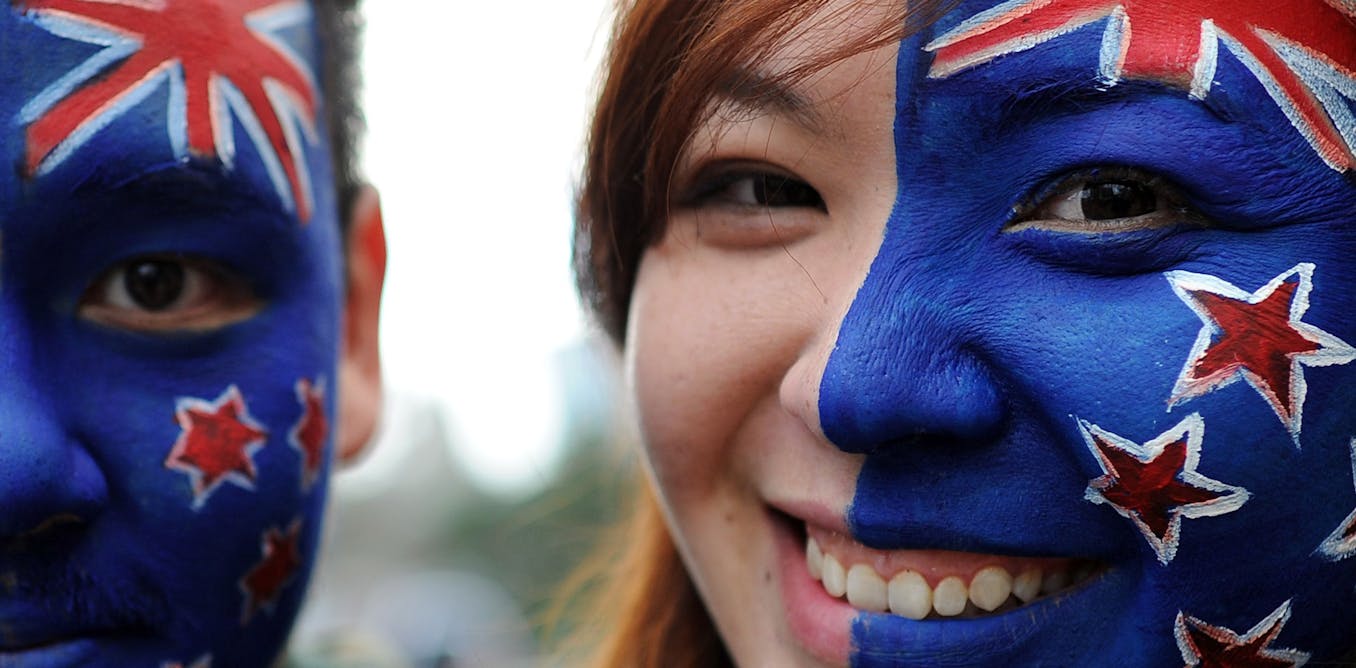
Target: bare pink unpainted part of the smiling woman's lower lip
[821, 623]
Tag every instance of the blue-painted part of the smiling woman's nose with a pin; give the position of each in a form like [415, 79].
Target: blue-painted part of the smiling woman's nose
[908, 368]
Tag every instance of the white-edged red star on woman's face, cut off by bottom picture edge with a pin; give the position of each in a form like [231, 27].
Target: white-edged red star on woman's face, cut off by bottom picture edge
[1205, 646]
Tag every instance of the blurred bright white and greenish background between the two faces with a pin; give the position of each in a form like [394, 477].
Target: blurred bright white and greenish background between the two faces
[494, 465]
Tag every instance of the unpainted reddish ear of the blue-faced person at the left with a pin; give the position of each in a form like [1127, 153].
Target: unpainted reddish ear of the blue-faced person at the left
[360, 362]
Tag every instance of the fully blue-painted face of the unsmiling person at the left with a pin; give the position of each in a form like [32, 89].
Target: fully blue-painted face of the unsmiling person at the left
[170, 291]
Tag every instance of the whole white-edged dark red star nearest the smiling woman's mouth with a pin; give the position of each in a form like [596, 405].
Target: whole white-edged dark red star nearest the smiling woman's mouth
[1156, 484]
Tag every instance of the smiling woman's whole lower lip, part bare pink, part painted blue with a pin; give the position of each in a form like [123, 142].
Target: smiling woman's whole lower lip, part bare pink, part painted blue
[836, 632]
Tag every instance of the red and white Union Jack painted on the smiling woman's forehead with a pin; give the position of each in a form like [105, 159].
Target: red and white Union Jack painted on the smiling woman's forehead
[1304, 54]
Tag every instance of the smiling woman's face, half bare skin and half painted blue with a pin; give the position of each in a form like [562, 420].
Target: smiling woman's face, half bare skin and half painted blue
[1022, 343]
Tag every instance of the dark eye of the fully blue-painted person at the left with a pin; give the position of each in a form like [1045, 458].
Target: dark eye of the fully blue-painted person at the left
[169, 293]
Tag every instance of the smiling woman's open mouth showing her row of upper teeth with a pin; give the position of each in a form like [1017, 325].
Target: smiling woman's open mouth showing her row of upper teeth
[932, 585]
